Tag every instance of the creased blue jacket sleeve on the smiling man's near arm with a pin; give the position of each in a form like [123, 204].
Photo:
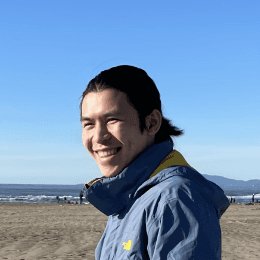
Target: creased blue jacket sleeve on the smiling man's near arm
[185, 230]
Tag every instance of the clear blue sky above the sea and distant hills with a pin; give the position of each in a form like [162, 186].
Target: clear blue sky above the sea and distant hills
[204, 57]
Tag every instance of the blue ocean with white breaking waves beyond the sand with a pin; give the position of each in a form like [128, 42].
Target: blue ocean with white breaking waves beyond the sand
[36, 193]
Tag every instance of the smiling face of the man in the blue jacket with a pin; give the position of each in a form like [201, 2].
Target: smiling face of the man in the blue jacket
[108, 115]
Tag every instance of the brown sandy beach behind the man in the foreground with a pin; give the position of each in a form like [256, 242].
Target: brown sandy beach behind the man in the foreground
[67, 231]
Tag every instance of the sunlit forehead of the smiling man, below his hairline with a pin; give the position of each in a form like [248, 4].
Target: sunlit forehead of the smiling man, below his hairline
[105, 102]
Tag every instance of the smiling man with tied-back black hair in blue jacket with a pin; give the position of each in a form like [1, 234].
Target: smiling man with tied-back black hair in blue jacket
[158, 206]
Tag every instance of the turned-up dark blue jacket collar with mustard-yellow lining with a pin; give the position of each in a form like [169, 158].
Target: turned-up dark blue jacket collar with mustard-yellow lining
[113, 195]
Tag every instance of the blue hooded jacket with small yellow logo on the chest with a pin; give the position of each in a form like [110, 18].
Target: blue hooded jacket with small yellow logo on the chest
[159, 211]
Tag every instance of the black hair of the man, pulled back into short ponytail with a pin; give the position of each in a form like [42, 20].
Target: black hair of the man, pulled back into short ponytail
[141, 92]
